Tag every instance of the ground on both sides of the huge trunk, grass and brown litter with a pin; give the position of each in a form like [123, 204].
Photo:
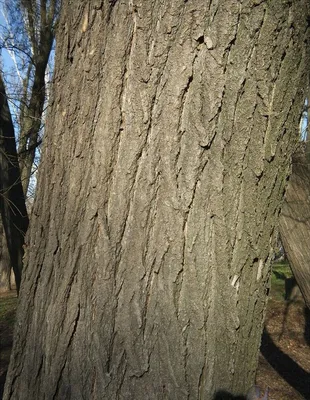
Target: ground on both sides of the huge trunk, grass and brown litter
[284, 364]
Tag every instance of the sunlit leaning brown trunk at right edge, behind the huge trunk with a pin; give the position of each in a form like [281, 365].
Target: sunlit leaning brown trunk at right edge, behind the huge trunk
[295, 222]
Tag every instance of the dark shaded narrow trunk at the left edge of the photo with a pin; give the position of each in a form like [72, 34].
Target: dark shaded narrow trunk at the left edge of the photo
[12, 201]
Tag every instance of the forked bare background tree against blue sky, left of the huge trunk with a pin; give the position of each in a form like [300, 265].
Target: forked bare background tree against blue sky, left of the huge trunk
[40, 32]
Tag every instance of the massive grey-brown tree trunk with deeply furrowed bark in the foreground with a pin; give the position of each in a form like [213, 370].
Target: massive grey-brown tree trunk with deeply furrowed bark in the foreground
[164, 164]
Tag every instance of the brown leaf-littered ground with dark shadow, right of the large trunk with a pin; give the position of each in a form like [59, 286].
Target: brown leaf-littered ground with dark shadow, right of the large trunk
[284, 364]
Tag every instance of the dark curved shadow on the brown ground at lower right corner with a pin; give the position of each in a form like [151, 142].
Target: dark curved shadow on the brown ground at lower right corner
[285, 366]
